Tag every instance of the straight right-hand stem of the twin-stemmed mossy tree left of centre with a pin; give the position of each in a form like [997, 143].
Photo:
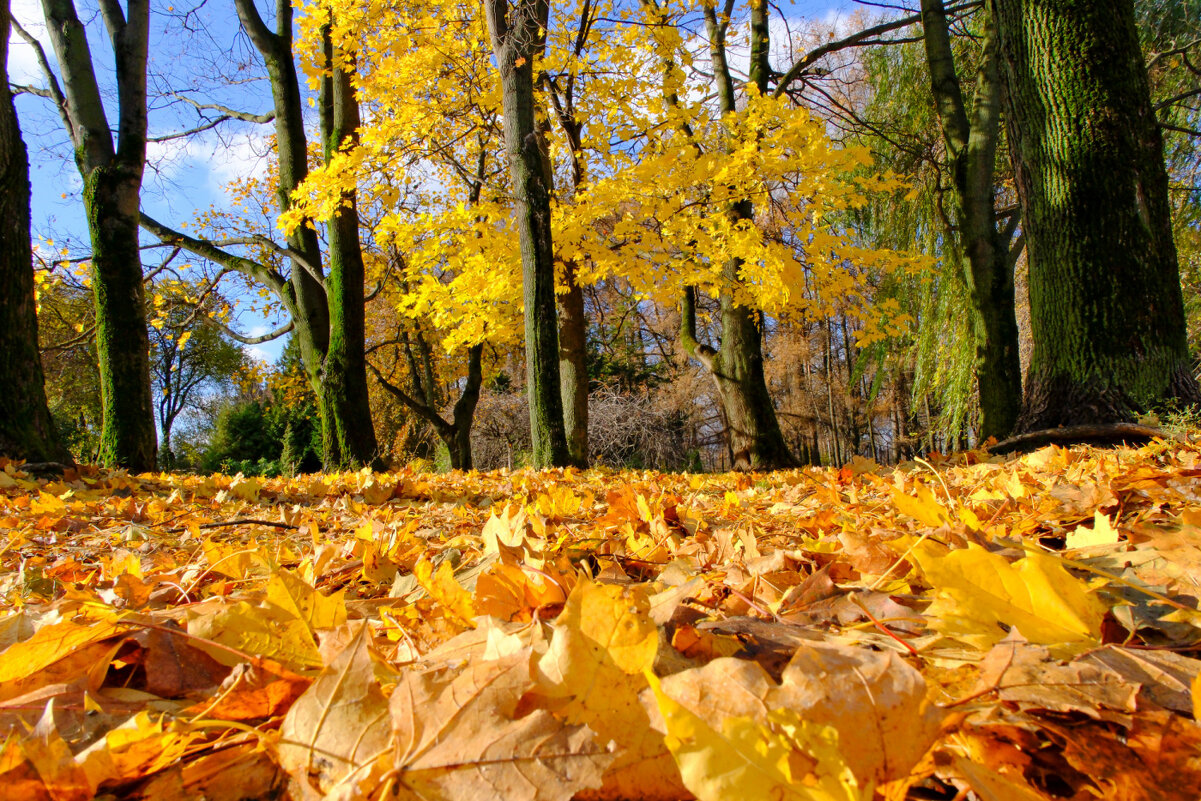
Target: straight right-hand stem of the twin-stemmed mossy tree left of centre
[352, 440]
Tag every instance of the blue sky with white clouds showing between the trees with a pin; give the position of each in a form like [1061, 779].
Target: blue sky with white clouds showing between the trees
[196, 49]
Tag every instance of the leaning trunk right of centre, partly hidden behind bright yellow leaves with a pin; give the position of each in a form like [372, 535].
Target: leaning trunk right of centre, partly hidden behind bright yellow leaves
[755, 438]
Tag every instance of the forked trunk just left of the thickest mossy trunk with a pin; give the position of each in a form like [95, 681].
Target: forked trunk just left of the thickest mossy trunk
[971, 138]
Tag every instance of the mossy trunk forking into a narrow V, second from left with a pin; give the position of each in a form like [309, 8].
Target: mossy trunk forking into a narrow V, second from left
[112, 184]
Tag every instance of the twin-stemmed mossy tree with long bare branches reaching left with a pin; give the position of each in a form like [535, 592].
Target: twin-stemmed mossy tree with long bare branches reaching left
[325, 308]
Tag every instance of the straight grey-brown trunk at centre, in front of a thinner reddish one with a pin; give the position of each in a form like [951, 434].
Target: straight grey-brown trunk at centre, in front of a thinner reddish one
[517, 33]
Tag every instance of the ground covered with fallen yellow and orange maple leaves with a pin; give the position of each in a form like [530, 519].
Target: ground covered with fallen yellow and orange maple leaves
[1012, 629]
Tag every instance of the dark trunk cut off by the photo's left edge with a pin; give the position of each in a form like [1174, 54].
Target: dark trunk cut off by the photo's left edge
[27, 431]
